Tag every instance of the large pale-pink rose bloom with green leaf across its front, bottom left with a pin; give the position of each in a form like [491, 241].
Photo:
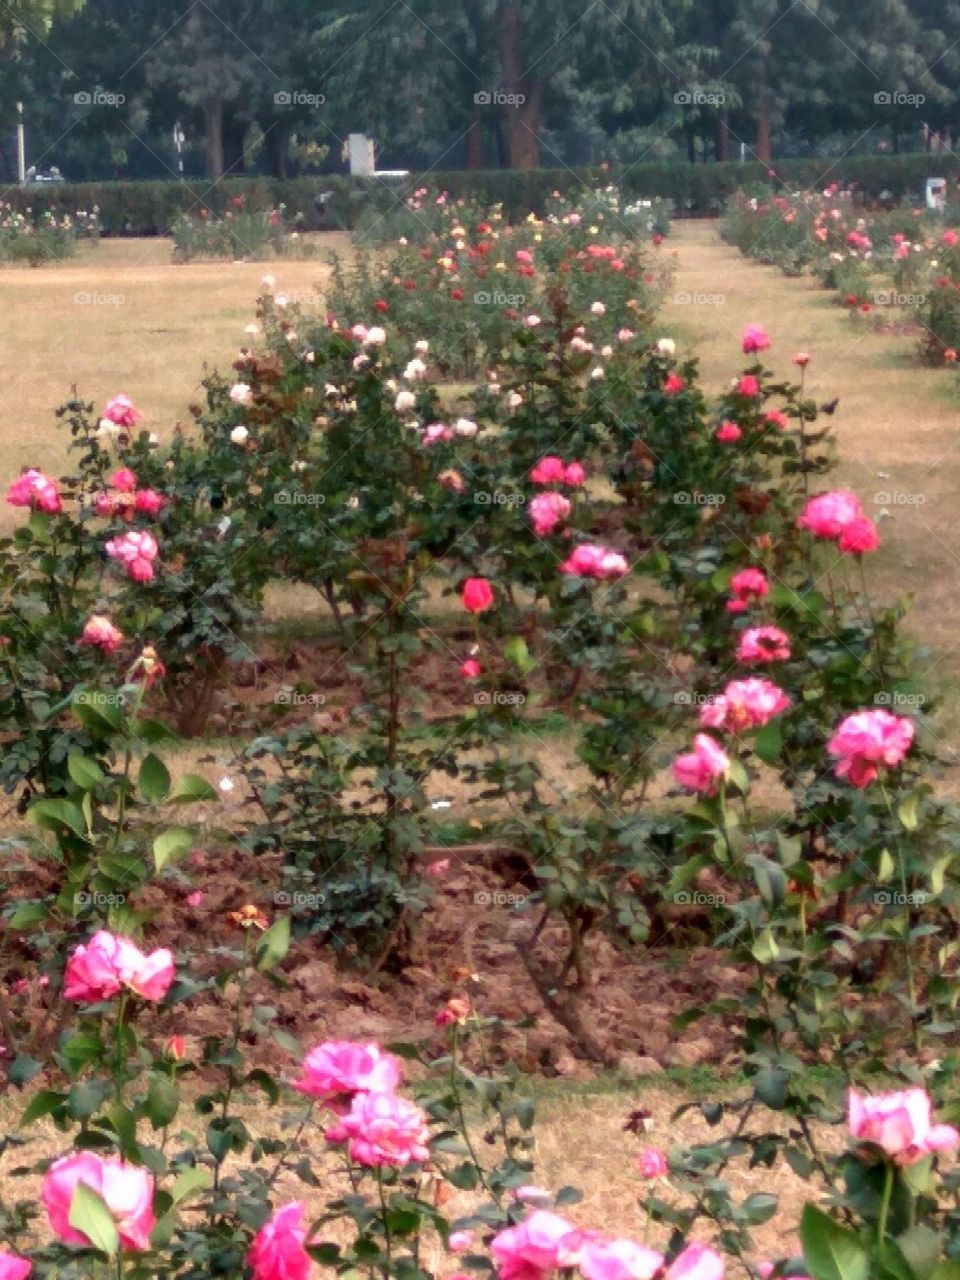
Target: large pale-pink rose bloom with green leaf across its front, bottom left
[127, 1190]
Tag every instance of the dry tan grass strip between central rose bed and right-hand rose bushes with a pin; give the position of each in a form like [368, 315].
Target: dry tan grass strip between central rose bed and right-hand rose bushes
[898, 426]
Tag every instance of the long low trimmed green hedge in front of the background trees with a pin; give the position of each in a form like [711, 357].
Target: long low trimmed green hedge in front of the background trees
[150, 208]
